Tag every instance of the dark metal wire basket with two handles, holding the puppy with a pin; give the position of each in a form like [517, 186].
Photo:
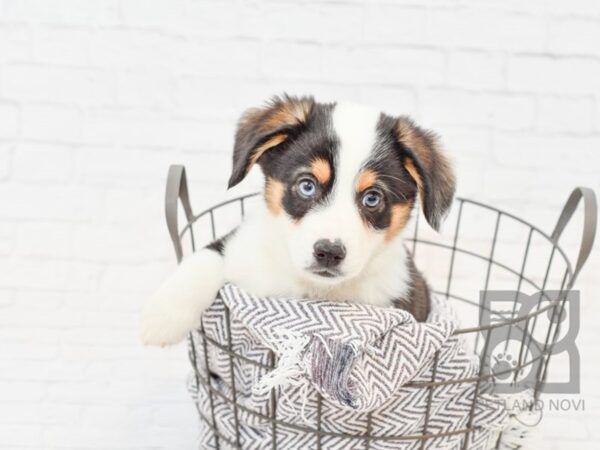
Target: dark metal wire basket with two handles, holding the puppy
[479, 256]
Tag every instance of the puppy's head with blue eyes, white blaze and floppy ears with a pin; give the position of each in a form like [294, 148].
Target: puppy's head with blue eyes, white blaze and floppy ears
[341, 180]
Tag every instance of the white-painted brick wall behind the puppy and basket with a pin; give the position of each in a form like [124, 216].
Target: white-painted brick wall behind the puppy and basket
[98, 97]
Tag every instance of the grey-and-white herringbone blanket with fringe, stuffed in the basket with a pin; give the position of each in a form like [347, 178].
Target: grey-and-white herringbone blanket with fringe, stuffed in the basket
[364, 362]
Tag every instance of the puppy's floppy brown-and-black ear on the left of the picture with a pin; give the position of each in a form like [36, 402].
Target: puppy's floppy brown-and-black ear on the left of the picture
[262, 129]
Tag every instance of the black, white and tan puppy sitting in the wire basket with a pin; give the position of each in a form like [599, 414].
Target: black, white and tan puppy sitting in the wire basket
[341, 182]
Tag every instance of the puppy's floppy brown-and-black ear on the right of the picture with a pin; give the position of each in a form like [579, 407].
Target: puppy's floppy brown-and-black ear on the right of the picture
[428, 166]
